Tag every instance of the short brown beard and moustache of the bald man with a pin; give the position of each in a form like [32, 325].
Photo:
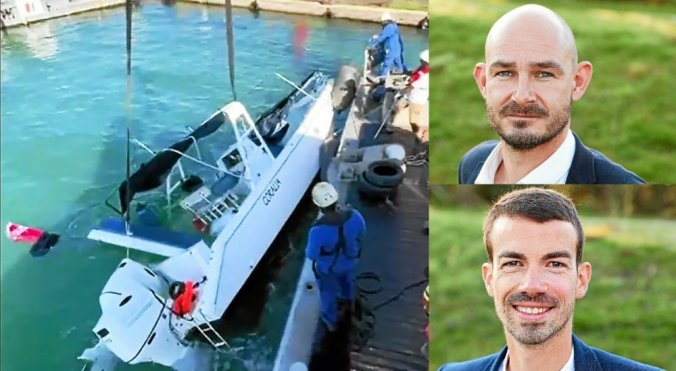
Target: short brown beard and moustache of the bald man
[519, 138]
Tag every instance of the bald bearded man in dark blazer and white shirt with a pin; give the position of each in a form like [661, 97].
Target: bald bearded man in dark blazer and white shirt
[529, 81]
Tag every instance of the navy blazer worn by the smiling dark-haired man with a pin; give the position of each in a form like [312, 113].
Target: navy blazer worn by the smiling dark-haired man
[586, 359]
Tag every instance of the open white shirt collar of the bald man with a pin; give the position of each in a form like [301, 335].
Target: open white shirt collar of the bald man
[554, 170]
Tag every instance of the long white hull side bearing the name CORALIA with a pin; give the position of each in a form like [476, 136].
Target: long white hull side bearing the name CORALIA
[241, 245]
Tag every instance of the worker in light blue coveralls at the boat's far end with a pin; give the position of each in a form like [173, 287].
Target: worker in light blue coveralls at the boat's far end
[393, 48]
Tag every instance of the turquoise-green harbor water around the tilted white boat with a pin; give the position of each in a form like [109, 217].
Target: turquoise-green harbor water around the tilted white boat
[63, 144]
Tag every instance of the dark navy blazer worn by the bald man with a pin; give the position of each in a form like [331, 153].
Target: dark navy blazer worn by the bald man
[588, 167]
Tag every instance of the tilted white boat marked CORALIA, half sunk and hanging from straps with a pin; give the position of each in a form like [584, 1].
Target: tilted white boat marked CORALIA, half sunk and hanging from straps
[247, 195]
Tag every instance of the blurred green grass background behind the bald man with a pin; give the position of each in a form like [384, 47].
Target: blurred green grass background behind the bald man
[627, 113]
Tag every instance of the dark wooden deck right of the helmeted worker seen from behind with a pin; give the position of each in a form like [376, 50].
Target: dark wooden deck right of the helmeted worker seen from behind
[396, 249]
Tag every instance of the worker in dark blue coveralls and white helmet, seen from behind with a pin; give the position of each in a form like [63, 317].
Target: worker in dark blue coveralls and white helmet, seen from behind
[334, 248]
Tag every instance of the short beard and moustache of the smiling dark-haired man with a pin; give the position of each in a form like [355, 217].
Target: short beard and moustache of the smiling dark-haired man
[532, 333]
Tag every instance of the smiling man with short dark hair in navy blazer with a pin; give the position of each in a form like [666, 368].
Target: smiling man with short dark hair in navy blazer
[535, 274]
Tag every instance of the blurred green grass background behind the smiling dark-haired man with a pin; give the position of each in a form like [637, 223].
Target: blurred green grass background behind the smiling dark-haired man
[629, 309]
